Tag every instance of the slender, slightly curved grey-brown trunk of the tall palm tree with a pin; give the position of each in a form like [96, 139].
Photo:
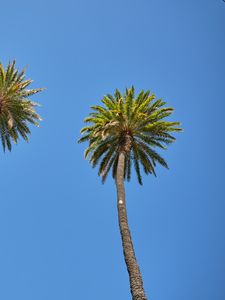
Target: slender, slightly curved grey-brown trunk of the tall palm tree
[136, 283]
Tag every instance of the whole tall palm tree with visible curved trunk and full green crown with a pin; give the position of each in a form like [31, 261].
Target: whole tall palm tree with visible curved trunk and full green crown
[124, 131]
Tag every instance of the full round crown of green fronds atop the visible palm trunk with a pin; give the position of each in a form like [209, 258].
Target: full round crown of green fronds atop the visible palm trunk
[133, 125]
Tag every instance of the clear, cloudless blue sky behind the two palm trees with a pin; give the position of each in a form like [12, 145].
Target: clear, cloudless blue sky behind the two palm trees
[59, 236]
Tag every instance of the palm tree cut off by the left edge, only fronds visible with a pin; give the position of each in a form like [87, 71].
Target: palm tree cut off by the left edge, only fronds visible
[16, 110]
